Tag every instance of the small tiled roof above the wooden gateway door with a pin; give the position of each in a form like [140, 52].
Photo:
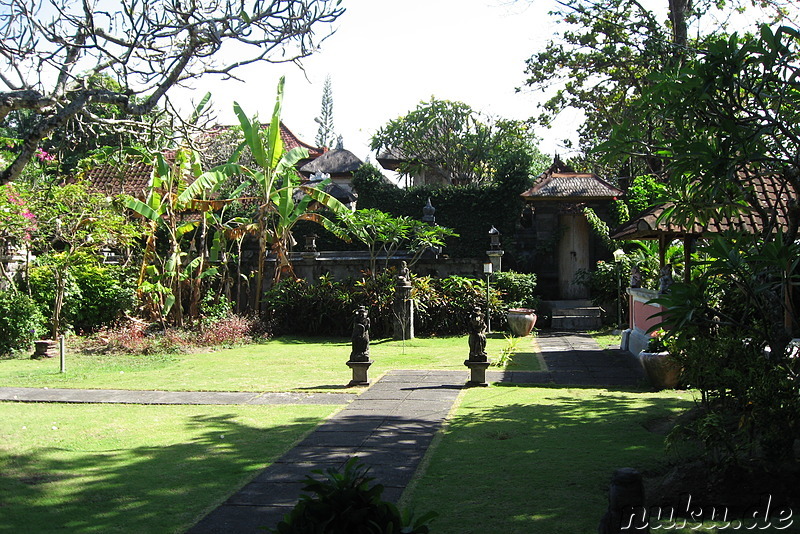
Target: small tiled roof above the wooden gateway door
[570, 186]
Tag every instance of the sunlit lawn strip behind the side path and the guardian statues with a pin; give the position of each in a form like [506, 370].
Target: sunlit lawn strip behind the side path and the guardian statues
[281, 364]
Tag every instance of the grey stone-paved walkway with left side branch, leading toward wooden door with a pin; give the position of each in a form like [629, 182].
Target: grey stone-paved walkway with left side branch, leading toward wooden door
[389, 426]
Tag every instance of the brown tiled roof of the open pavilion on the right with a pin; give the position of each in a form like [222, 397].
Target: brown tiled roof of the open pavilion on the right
[770, 197]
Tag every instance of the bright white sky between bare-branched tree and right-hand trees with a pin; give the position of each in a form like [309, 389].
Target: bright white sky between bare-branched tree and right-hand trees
[387, 56]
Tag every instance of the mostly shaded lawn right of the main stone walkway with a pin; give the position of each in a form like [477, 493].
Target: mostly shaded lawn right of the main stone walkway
[538, 459]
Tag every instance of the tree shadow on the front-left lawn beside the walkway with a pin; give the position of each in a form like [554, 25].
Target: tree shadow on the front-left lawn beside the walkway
[142, 489]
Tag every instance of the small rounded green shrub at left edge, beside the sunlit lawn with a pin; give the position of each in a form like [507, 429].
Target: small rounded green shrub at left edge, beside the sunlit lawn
[20, 321]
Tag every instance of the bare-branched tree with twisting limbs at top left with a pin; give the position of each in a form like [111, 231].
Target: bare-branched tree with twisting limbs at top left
[144, 47]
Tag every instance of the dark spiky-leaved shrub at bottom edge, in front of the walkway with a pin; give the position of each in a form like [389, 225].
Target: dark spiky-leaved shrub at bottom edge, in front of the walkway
[347, 503]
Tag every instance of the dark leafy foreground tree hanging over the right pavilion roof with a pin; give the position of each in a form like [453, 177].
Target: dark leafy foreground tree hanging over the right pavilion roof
[730, 118]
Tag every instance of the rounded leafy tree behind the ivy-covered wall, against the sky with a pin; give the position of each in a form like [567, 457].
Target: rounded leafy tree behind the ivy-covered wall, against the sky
[448, 142]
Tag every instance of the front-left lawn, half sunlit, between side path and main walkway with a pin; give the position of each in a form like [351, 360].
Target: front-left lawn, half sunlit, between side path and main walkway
[118, 468]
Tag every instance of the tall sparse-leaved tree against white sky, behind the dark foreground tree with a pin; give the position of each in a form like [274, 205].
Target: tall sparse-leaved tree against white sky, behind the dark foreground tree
[600, 63]
